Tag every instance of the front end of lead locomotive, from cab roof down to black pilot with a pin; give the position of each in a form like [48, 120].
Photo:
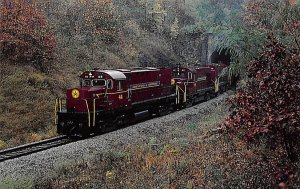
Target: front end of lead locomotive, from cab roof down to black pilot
[96, 95]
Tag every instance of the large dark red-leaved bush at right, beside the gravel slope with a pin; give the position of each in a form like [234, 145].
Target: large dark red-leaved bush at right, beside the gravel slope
[269, 106]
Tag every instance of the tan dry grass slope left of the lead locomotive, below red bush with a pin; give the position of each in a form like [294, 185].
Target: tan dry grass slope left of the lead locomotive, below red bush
[26, 105]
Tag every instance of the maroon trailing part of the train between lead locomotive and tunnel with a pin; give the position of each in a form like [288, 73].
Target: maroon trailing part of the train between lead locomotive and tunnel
[199, 83]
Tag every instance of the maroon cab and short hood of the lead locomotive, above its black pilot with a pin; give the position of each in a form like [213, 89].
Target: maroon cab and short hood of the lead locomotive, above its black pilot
[100, 89]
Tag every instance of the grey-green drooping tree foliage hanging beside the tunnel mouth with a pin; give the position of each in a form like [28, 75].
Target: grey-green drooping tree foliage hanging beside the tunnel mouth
[224, 19]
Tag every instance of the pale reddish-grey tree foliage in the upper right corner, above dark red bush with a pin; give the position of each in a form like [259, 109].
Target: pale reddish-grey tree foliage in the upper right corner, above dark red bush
[279, 17]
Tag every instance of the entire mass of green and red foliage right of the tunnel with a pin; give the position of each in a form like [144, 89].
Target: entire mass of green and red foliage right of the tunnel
[263, 40]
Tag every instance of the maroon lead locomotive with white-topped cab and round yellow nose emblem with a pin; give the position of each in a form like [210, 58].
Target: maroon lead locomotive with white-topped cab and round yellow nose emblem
[108, 97]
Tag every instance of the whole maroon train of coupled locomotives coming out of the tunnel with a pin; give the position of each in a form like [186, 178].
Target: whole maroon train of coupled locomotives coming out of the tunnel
[106, 98]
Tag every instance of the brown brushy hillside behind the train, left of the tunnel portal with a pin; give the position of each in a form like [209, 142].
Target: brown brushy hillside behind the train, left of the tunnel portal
[128, 37]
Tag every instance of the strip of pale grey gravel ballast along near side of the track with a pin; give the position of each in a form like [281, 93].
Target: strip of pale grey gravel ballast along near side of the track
[43, 163]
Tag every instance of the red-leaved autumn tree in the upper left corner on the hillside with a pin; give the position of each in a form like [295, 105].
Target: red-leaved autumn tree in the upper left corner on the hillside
[24, 32]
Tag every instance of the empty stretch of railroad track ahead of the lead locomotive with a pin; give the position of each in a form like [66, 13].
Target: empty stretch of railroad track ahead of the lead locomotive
[31, 148]
